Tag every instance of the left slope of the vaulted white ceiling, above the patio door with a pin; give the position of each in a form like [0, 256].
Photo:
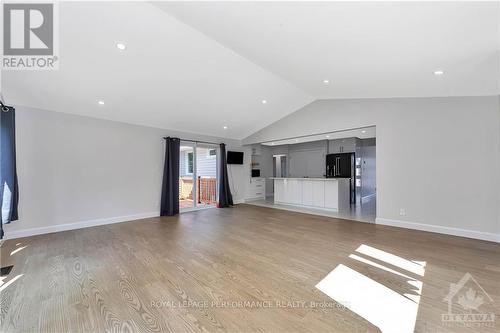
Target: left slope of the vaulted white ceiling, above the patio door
[170, 75]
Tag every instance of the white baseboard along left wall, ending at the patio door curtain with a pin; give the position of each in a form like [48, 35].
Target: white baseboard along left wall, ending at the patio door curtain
[76, 225]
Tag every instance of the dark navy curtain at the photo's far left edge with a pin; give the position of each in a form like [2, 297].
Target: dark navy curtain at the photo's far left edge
[9, 191]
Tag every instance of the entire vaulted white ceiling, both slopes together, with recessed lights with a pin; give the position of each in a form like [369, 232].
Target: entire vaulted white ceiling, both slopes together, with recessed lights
[199, 66]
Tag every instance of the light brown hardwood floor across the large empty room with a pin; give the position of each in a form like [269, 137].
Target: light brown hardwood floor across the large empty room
[246, 269]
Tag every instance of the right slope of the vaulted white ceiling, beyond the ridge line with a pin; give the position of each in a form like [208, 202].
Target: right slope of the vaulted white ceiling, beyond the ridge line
[365, 49]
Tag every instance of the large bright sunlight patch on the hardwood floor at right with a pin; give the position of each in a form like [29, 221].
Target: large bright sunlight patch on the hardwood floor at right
[385, 308]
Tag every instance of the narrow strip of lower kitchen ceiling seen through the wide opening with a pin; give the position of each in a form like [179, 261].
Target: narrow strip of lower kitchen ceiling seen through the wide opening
[361, 133]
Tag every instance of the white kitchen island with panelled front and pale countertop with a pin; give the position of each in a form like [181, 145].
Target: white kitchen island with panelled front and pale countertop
[323, 193]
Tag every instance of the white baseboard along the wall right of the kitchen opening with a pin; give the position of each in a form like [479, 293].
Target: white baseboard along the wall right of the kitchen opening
[440, 229]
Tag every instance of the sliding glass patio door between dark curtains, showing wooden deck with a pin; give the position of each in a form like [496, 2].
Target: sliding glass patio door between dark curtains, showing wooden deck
[198, 176]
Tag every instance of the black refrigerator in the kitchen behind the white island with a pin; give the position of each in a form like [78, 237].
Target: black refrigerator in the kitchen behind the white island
[342, 166]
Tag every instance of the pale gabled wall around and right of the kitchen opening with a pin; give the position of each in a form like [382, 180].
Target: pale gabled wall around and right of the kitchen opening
[436, 157]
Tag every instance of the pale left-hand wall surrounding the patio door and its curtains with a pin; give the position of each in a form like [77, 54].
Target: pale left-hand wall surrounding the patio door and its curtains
[75, 169]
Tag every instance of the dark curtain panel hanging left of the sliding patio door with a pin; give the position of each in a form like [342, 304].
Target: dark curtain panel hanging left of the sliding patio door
[170, 184]
